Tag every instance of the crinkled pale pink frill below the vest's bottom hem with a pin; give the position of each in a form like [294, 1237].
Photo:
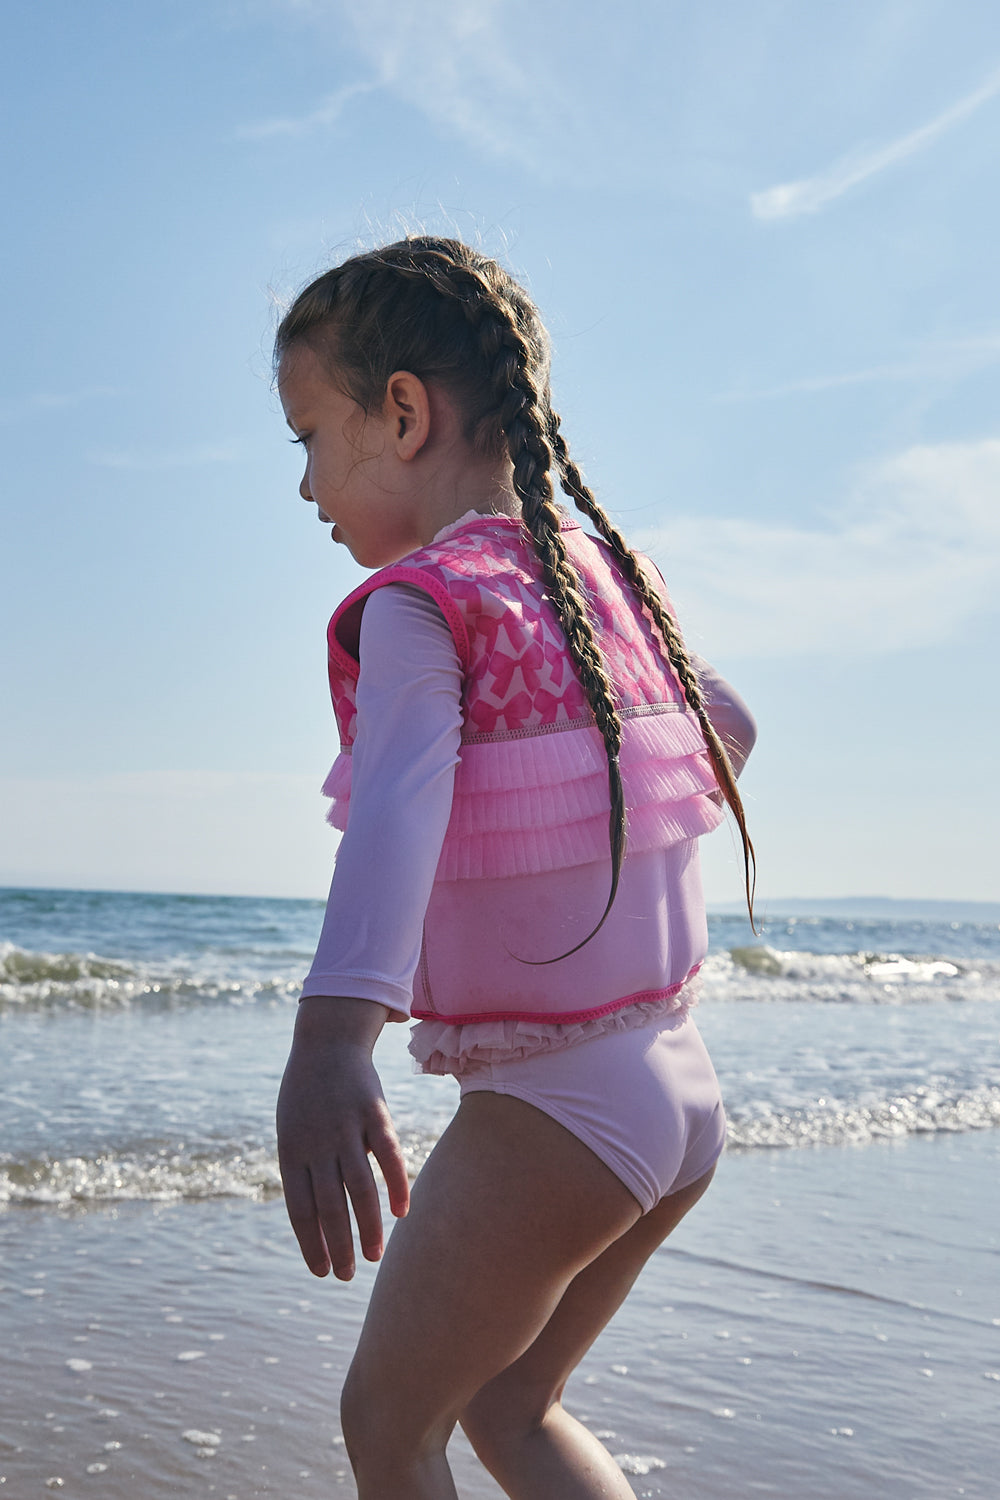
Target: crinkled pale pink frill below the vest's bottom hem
[461, 1051]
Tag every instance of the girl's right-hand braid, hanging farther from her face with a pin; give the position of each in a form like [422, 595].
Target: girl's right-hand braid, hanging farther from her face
[671, 638]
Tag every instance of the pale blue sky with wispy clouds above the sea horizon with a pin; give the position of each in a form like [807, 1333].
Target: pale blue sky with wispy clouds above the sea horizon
[764, 238]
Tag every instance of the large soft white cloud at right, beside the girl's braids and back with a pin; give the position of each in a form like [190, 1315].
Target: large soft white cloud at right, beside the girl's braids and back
[912, 556]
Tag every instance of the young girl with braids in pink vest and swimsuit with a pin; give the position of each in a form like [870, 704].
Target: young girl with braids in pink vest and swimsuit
[530, 755]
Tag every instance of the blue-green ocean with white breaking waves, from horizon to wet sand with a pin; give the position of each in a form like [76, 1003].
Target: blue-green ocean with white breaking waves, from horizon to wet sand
[145, 1039]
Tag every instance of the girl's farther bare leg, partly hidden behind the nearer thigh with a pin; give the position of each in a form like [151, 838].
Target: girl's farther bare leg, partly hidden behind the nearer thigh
[518, 1424]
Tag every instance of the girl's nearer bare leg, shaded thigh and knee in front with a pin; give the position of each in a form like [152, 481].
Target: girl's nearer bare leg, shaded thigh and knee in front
[507, 1211]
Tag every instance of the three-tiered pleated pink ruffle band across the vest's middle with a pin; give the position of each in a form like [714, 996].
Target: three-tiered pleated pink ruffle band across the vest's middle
[540, 803]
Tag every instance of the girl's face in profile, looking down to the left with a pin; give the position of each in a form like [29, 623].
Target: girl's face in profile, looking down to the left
[350, 470]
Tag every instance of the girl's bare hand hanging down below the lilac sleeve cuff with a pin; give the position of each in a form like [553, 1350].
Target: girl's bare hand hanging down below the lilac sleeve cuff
[331, 1115]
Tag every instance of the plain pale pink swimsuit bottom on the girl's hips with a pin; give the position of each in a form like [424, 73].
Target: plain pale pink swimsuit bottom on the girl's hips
[647, 1102]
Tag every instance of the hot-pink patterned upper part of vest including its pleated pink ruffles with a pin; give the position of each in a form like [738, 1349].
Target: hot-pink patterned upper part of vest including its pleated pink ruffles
[531, 785]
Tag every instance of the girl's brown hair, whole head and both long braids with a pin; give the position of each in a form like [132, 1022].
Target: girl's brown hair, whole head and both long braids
[452, 316]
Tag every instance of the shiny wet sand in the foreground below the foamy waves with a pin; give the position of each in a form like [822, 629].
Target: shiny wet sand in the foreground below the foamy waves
[827, 1324]
